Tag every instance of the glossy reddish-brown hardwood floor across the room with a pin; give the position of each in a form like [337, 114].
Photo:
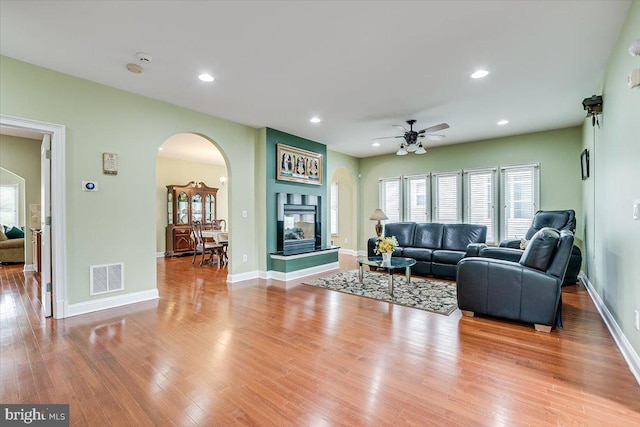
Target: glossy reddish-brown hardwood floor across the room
[261, 353]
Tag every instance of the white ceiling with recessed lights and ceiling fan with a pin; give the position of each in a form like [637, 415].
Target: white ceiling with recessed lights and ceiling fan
[361, 66]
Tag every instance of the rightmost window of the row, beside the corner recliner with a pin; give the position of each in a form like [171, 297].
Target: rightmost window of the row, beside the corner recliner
[521, 195]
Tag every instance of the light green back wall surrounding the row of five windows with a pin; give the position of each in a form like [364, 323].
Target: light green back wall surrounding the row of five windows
[557, 151]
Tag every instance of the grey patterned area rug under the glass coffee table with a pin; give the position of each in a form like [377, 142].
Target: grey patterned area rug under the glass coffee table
[425, 294]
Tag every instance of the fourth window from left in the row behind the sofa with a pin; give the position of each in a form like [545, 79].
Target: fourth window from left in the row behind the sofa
[480, 200]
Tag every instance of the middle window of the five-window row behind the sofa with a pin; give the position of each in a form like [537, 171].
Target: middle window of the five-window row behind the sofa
[447, 197]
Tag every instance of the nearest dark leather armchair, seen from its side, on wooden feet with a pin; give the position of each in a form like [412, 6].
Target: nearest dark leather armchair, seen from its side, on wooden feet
[528, 291]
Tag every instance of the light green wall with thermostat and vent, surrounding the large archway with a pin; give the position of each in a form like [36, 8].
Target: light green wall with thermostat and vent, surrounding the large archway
[120, 218]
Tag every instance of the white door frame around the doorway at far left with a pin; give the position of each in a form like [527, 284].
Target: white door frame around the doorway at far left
[58, 205]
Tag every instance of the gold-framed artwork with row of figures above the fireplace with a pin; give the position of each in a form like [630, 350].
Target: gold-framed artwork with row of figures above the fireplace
[297, 165]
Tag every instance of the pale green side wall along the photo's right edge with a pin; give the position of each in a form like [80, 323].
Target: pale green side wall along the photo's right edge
[612, 249]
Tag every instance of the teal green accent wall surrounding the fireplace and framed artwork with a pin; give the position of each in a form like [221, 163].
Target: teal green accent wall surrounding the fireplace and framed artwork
[273, 186]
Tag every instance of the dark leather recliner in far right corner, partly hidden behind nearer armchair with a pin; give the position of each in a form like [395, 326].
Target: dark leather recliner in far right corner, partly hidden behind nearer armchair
[509, 250]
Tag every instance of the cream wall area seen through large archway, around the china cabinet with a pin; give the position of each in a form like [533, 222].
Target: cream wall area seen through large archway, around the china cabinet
[182, 159]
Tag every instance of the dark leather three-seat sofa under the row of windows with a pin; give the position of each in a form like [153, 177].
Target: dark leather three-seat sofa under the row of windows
[437, 248]
